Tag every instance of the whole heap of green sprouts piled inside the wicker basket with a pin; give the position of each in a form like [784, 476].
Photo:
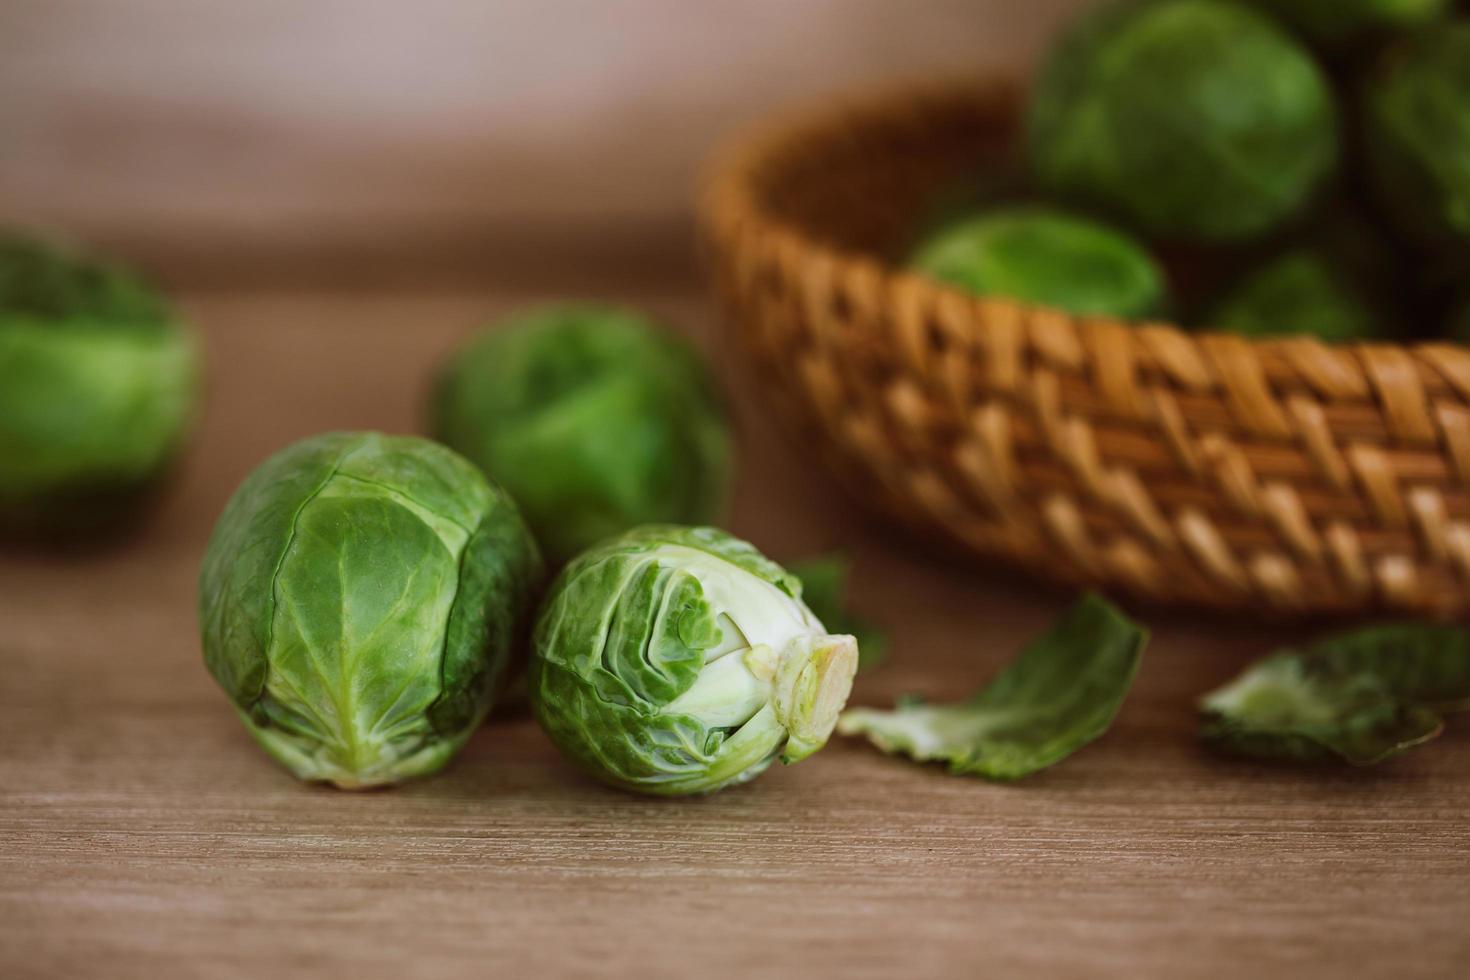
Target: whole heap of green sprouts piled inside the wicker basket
[1261, 167]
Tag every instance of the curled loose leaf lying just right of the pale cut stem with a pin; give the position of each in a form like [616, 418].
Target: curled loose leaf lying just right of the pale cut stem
[1056, 697]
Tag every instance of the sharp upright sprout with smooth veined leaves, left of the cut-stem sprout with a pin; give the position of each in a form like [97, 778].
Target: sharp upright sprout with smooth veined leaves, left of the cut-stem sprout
[359, 603]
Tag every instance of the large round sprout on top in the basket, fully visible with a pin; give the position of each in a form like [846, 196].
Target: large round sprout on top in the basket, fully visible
[1190, 120]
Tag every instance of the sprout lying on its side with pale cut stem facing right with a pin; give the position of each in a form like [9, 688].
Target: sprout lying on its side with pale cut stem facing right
[680, 660]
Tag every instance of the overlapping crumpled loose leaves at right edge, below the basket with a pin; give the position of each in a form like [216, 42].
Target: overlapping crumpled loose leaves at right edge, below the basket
[1362, 697]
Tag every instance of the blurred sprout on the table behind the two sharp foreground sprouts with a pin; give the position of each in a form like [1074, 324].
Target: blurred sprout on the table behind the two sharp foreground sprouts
[593, 418]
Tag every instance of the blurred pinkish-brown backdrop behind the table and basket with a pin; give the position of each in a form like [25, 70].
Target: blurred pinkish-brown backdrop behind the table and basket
[215, 140]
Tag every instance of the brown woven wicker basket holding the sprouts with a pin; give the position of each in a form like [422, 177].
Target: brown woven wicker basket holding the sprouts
[1183, 468]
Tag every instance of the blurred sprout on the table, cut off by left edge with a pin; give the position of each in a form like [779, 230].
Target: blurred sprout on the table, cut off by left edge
[98, 389]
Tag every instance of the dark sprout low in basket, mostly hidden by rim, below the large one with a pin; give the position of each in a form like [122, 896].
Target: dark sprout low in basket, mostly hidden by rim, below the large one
[1302, 292]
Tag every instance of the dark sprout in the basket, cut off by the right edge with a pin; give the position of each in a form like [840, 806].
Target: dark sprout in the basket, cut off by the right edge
[1419, 136]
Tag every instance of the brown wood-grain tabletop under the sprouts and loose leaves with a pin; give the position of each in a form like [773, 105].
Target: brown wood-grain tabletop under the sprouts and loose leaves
[143, 835]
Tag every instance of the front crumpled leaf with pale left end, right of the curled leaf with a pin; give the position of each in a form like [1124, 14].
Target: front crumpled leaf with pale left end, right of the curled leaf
[1305, 707]
